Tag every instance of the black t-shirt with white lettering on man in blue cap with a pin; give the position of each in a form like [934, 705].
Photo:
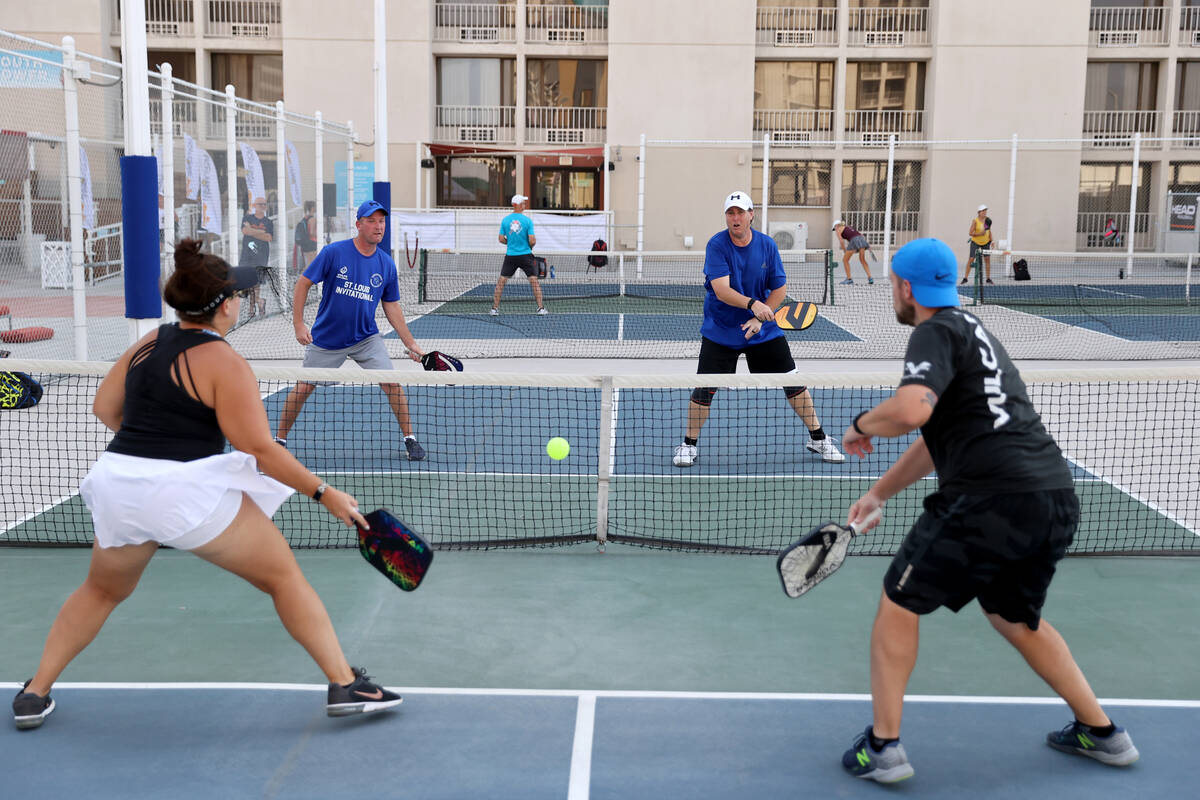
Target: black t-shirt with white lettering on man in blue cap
[985, 436]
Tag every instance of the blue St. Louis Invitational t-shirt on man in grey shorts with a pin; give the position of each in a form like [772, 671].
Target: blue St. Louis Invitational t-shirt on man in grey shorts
[353, 287]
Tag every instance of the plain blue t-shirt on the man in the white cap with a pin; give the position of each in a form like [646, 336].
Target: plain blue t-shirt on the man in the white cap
[755, 270]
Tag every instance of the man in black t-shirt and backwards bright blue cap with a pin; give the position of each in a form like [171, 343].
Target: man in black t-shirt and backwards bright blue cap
[1004, 514]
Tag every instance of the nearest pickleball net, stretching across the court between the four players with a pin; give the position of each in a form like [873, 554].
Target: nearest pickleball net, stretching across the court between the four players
[488, 482]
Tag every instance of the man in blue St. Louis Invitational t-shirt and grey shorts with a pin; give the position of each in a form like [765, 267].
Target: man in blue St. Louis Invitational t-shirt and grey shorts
[357, 276]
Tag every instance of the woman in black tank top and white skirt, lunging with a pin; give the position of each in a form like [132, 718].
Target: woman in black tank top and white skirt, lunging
[173, 399]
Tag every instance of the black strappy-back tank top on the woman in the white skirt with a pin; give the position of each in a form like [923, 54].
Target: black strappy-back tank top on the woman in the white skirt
[161, 420]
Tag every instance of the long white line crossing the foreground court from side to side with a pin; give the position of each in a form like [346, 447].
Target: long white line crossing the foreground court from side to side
[625, 694]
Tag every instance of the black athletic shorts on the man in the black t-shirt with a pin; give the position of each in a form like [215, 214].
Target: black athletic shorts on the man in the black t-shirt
[1001, 549]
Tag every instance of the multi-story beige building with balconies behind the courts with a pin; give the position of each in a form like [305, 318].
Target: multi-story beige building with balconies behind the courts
[530, 97]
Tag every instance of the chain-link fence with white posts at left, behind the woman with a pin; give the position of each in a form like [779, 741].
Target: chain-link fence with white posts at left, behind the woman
[61, 194]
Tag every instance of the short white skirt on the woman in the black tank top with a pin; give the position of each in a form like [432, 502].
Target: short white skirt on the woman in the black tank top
[184, 504]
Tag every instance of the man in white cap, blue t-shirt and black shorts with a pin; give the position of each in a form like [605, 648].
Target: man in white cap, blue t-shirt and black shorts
[745, 285]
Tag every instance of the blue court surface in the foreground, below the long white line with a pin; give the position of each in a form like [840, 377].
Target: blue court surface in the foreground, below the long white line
[277, 742]
